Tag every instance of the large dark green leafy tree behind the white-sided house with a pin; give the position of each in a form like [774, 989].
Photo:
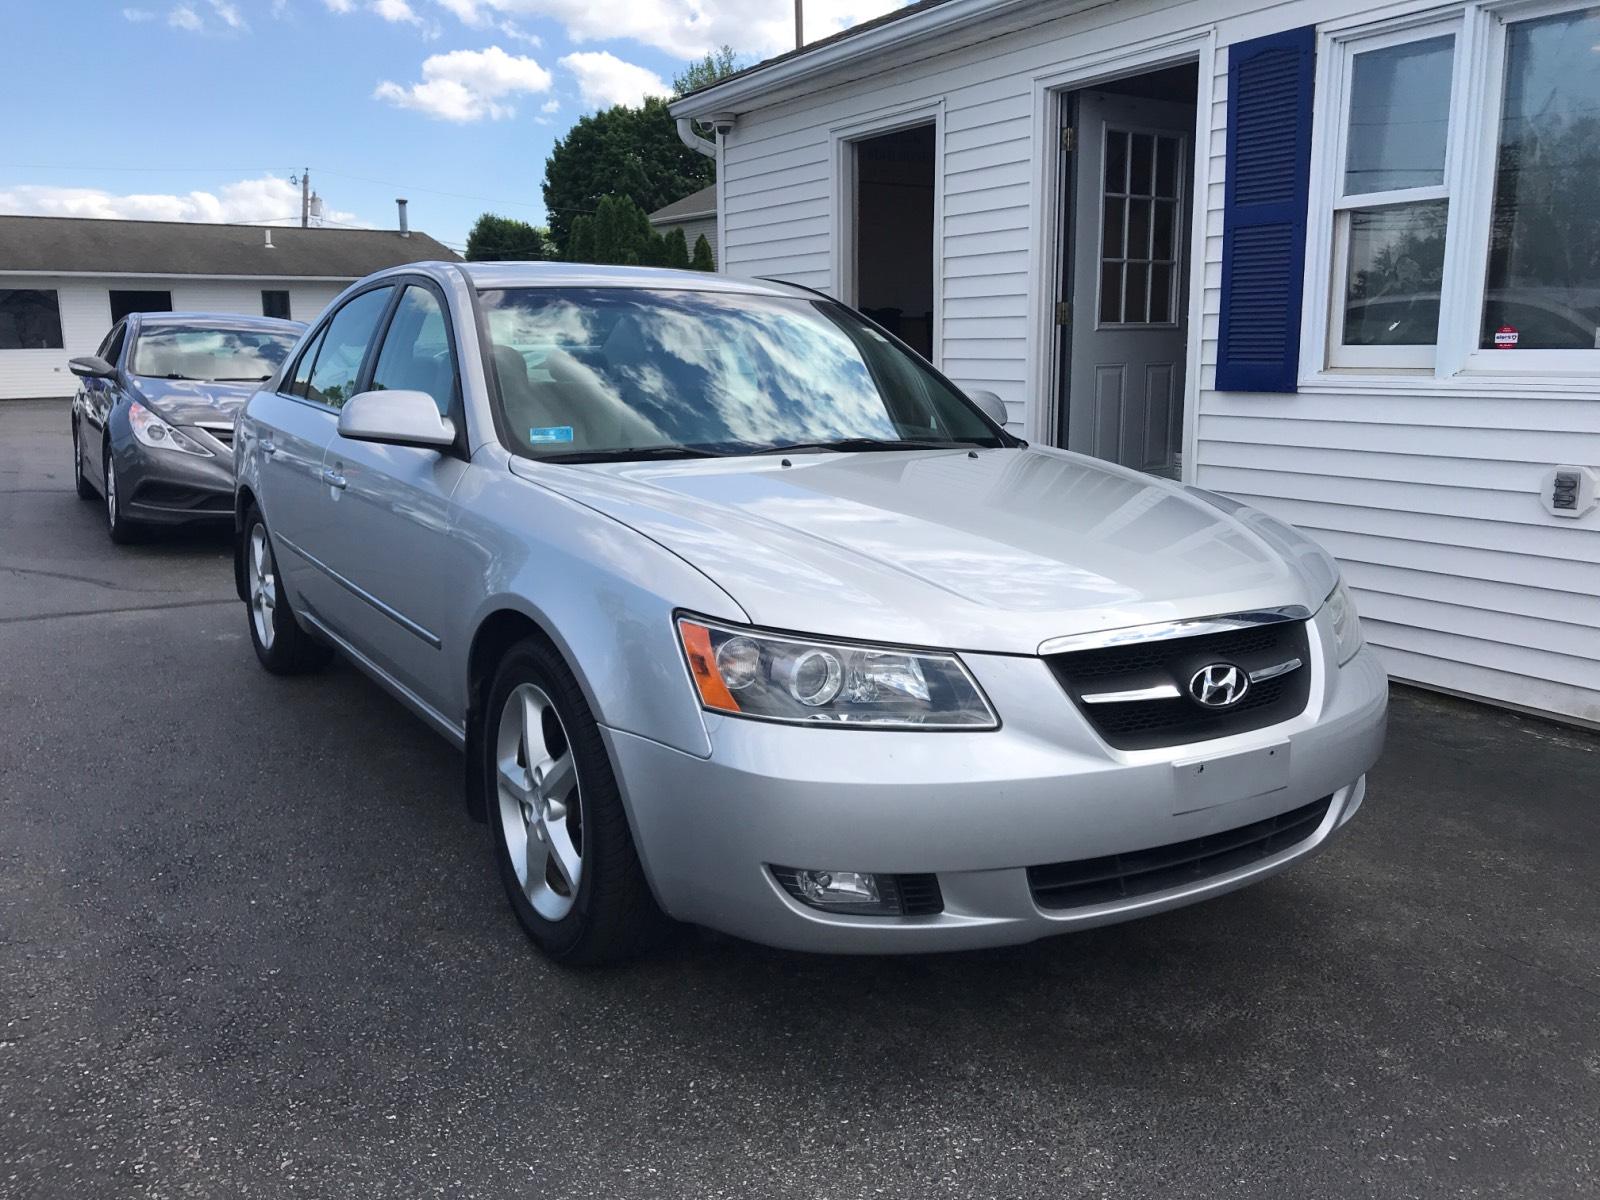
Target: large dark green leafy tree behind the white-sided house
[622, 151]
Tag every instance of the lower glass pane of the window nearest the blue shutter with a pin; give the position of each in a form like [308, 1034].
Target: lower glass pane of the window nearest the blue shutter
[1394, 270]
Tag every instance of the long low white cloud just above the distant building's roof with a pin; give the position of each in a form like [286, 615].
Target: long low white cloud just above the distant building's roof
[247, 201]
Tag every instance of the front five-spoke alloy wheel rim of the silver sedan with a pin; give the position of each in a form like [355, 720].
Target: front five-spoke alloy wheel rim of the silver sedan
[540, 801]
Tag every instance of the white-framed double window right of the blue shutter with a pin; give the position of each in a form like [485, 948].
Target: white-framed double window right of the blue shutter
[1463, 170]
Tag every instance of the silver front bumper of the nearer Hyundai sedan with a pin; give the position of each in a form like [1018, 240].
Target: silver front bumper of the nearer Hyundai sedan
[977, 809]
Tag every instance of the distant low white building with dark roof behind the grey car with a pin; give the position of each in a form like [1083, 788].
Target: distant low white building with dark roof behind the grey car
[66, 281]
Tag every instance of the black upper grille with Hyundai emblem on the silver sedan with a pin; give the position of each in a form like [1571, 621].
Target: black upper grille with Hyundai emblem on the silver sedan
[1172, 663]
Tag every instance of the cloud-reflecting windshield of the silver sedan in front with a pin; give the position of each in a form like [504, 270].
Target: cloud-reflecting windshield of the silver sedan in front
[631, 374]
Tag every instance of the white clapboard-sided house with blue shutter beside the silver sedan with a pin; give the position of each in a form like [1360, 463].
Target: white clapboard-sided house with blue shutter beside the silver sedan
[1337, 258]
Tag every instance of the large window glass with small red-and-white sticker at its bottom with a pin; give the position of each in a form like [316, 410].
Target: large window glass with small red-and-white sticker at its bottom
[1543, 290]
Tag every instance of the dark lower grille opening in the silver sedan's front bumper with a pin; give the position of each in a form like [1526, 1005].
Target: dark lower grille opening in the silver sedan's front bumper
[1119, 878]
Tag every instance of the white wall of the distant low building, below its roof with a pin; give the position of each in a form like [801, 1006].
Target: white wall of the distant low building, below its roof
[86, 319]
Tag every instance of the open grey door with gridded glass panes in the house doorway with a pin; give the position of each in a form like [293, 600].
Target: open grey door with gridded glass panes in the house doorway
[1129, 321]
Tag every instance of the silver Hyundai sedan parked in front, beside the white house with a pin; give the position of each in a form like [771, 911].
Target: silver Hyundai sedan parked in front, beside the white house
[748, 617]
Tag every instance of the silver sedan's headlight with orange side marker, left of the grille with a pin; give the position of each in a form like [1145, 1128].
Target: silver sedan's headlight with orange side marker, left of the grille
[748, 674]
